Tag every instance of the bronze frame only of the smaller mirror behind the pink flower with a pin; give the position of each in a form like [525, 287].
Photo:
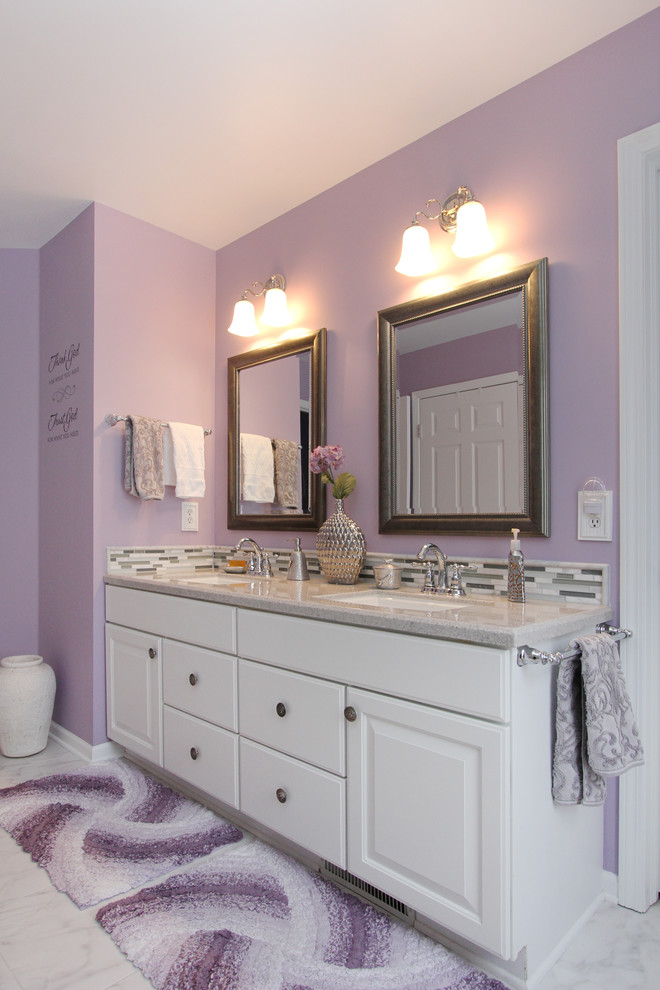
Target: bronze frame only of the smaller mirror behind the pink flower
[313, 341]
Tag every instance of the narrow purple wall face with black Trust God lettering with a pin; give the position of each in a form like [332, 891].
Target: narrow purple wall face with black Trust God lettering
[66, 428]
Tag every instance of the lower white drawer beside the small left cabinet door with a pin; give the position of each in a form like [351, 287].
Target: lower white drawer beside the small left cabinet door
[202, 754]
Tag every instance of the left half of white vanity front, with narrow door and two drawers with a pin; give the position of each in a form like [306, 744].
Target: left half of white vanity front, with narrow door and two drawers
[171, 699]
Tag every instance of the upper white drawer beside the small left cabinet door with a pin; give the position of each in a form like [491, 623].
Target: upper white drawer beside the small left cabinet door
[200, 682]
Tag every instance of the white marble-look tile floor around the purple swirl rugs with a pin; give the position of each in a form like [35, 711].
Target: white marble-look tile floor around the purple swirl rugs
[46, 943]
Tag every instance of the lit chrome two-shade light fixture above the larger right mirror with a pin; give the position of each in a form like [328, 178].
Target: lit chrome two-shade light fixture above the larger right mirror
[460, 212]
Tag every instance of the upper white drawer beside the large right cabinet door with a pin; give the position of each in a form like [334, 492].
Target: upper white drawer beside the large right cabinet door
[298, 715]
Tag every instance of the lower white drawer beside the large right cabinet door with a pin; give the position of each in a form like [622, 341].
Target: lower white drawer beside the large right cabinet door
[303, 803]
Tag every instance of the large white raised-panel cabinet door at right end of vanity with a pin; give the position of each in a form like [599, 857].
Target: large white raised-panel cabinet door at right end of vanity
[427, 800]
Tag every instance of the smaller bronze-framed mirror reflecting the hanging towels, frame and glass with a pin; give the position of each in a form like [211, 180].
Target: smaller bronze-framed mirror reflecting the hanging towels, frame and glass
[276, 416]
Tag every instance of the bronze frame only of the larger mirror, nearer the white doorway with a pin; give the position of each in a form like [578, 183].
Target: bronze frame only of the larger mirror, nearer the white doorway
[535, 519]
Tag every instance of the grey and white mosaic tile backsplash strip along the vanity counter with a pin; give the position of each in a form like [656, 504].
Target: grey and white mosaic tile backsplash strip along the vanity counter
[543, 579]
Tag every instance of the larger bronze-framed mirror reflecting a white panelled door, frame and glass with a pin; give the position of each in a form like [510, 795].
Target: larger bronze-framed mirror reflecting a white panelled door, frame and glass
[463, 409]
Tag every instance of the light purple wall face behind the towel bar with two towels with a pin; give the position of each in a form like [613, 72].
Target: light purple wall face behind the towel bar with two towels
[155, 356]
